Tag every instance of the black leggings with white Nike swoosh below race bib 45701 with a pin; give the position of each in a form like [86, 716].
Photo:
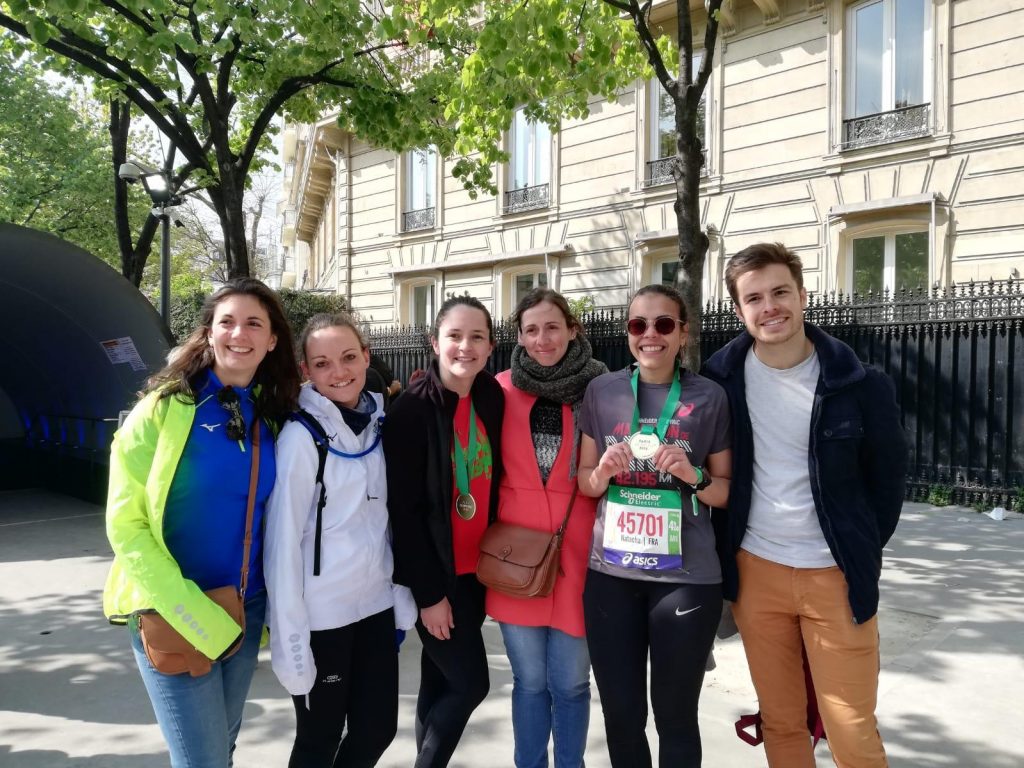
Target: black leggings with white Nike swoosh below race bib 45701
[677, 623]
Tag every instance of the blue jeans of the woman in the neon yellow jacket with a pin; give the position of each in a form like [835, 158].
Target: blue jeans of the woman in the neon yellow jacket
[201, 716]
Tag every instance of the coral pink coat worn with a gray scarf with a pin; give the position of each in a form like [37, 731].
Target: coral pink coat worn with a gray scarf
[525, 500]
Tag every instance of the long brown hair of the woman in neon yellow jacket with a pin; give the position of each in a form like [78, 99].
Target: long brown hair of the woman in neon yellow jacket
[277, 377]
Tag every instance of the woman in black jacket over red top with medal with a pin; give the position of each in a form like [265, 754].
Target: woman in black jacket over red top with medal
[443, 449]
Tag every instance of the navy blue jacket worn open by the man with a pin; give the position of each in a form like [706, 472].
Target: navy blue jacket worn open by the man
[858, 462]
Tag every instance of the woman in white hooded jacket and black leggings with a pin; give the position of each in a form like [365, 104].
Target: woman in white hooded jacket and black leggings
[333, 609]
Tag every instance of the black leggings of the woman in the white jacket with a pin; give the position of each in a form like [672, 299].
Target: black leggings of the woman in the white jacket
[358, 681]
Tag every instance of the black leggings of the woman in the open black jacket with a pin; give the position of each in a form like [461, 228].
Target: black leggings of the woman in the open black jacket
[453, 677]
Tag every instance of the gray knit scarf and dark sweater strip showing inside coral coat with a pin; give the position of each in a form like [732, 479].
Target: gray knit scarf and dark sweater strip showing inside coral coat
[565, 382]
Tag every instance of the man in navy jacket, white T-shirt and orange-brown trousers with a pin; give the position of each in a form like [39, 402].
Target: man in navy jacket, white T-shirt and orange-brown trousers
[820, 460]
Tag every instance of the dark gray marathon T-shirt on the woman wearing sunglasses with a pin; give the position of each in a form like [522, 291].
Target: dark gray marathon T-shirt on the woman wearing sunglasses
[701, 425]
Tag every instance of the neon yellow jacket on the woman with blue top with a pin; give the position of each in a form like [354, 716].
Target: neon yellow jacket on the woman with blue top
[144, 458]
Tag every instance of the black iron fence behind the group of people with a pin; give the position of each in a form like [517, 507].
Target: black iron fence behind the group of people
[952, 353]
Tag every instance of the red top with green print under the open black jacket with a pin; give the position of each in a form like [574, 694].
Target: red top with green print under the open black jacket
[466, 535]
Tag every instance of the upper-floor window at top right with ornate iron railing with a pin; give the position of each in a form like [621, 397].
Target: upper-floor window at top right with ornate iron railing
[889, 70]
